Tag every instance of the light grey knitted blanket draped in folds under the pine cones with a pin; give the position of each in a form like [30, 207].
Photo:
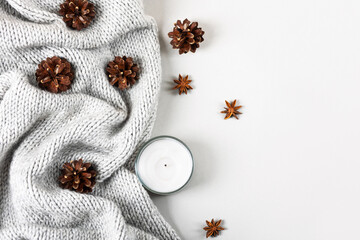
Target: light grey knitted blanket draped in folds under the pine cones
[40, 131]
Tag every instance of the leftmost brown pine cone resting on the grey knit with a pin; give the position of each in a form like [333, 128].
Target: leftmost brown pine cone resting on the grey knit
[54, 74]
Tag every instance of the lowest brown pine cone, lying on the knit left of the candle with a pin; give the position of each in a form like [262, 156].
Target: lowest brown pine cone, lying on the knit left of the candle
[78, 176]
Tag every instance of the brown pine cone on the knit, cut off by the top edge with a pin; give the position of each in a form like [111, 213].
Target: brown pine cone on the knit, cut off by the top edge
[77, 14]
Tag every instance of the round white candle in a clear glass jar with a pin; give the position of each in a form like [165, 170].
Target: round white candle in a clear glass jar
[164, 165]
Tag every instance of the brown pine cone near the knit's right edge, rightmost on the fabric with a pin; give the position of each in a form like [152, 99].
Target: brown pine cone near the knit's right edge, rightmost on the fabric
[123, 73]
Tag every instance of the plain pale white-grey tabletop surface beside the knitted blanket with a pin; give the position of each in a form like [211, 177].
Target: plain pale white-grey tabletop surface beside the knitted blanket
[289, 169]
